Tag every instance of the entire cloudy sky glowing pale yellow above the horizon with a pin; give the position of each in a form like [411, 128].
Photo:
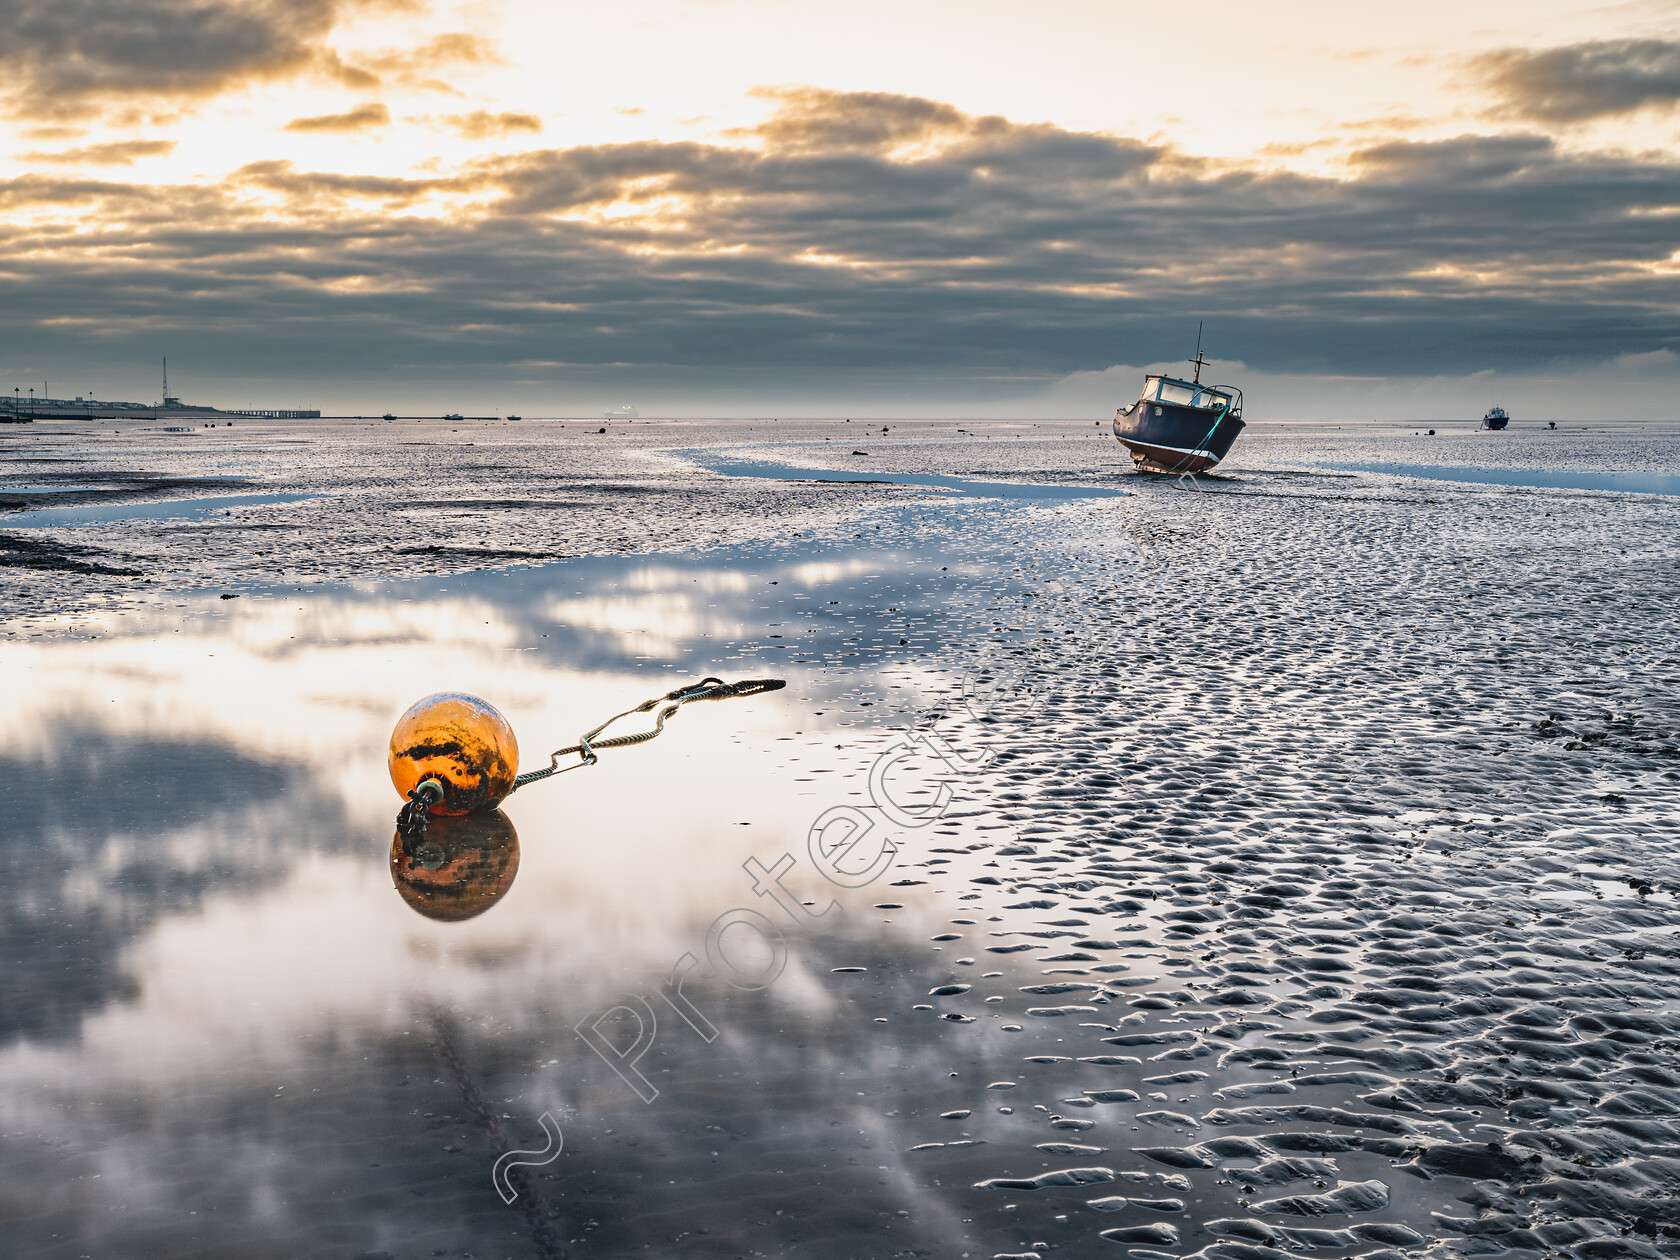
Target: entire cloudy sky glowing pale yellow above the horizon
[807, 207]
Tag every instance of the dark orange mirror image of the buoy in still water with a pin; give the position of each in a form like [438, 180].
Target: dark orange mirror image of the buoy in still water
[461, 868]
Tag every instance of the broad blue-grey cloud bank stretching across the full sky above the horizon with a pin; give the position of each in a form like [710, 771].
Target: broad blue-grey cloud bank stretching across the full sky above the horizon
[868, 238]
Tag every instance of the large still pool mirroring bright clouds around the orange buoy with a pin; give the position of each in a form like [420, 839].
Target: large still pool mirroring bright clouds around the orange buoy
[224, 1032]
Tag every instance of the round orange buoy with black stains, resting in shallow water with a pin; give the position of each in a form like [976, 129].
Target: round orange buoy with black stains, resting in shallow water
[465, 745]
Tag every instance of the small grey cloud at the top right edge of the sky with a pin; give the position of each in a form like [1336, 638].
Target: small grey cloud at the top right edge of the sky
[1582, 81]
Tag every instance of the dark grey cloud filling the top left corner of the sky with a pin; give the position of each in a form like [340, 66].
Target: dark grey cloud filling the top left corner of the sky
[66, 58]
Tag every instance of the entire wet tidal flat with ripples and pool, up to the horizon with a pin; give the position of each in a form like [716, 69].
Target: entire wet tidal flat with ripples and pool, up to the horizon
[1320, 893]
